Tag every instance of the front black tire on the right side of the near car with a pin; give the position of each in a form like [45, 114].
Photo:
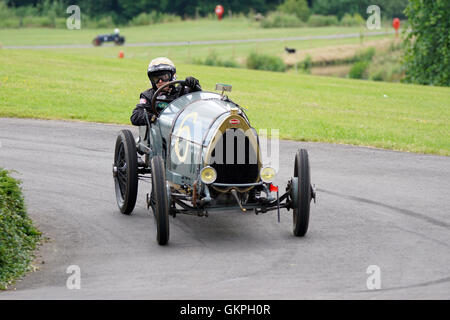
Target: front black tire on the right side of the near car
[301, 209]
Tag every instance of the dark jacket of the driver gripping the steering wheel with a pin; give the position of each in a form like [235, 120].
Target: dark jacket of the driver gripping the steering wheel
[145, 99]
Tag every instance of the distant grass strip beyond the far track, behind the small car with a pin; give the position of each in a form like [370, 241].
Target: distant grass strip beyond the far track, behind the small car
[176, 31]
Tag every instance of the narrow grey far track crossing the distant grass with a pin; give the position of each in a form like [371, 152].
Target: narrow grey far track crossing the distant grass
[206, 42]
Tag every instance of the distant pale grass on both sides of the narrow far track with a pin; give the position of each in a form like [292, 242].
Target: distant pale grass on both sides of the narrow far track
[237, 28]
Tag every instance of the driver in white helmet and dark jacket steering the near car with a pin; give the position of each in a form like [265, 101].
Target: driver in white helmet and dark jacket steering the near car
[160, 72]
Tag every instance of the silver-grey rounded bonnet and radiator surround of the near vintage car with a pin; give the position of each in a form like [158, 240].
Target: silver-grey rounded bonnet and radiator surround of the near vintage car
[188, 130]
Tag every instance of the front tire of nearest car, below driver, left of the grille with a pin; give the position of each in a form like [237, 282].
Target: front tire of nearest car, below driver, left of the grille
[159, 200]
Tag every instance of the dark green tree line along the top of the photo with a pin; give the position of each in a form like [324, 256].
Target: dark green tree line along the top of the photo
[125, 10]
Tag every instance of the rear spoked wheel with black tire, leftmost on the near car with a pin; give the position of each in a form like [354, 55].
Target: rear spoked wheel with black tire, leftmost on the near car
[125, 171]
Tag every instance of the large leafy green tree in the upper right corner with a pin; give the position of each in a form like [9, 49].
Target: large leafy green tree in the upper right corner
[427, 59]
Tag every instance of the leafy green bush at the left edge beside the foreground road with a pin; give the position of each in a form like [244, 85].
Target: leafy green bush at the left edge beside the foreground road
[18, 236]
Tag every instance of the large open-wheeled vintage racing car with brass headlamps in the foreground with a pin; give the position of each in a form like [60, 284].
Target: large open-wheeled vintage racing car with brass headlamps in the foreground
[202, 155]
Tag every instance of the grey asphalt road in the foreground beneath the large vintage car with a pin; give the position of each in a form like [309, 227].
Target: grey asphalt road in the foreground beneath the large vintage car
[375, 207]
